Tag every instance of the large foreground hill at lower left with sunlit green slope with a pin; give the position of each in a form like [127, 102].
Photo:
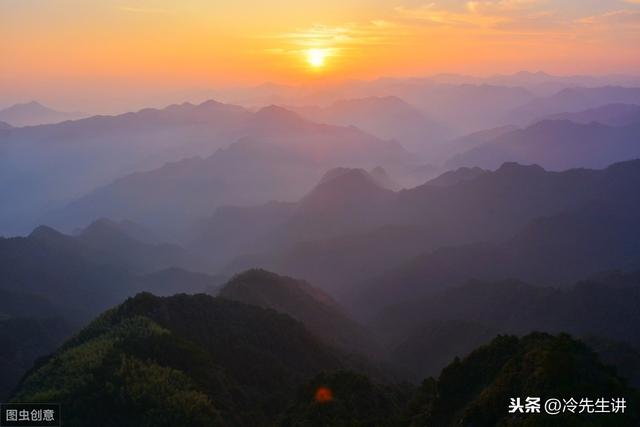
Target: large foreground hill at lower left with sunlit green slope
[182, 360]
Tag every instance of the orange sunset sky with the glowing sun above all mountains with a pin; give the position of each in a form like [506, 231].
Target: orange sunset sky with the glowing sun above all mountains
[70, 51]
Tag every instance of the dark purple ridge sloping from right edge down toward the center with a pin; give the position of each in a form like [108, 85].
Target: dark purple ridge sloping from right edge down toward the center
[556, 250]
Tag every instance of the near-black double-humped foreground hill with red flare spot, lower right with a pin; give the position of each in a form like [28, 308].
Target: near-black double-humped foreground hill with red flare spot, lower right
[475, 391]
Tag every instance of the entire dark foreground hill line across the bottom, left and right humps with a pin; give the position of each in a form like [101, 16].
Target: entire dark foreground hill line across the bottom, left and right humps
[204, 361]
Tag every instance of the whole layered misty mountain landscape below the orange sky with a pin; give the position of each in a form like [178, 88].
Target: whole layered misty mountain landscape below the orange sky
[400, 252]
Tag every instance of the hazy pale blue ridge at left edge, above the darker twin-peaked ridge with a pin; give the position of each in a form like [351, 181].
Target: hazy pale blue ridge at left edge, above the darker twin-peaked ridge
[48, 165]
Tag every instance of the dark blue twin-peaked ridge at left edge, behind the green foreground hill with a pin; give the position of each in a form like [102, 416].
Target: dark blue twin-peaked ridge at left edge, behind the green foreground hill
[81, 275]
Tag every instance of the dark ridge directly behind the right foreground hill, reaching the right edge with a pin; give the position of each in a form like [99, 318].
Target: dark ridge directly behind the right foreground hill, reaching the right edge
[453, 321]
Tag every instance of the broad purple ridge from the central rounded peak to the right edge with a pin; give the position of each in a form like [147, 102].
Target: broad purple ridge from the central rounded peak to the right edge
[376, 236]
